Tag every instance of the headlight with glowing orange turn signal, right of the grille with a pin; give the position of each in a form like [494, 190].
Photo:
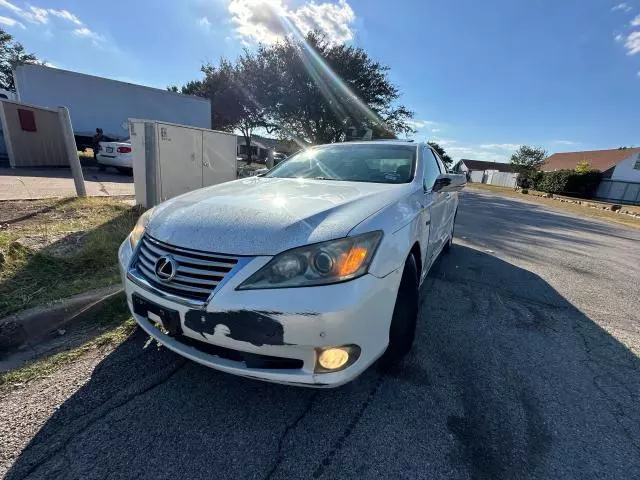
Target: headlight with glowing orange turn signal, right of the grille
[319, 264]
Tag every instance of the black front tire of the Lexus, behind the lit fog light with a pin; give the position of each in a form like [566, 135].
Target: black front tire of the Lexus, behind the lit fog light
[405, 315]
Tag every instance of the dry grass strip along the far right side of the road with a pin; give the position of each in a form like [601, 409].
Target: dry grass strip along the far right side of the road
[577, 209]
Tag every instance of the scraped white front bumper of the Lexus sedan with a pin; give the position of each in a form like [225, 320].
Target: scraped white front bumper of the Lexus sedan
[287, 323]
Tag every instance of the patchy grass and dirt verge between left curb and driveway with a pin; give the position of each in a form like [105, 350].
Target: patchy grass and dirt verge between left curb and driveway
[53, 249]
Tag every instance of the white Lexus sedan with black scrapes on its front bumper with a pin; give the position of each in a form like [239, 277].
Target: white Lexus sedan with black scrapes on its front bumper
[305, 275]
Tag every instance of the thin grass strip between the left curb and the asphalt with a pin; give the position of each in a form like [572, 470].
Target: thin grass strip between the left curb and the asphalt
[114, 316]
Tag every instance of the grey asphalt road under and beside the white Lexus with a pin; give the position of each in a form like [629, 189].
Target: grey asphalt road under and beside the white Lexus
[525, 366]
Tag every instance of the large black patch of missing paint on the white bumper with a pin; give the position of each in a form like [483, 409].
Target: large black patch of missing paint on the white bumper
[257, 328]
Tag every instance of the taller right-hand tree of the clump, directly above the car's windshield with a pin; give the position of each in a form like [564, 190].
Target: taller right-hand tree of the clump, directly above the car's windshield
[323, 91]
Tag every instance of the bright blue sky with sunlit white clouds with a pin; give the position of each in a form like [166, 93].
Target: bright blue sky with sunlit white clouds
[481, 77]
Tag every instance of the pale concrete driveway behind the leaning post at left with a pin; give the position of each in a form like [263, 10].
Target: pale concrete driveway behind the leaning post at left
[32, 183]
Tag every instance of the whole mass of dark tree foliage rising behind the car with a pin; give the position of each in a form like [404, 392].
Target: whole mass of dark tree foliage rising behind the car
[309, 90]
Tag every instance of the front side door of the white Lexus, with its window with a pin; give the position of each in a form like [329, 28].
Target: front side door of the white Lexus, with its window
[437, 204]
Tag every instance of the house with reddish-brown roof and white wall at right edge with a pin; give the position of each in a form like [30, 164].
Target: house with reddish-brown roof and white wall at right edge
[620, 164]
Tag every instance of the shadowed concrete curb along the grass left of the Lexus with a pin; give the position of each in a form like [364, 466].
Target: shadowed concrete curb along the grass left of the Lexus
[37, 322]
